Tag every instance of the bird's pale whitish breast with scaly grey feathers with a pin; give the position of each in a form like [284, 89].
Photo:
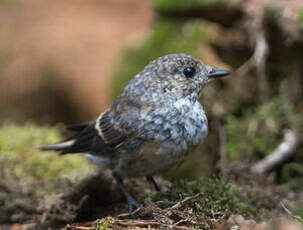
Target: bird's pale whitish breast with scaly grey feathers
[184, 123]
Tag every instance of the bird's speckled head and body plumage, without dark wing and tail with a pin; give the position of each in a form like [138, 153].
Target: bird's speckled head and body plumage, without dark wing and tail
[159, 110]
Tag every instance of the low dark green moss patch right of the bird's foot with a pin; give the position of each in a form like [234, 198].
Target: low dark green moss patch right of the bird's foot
[218, 199]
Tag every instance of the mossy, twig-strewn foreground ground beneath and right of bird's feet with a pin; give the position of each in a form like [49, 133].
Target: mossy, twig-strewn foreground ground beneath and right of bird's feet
[200, 204]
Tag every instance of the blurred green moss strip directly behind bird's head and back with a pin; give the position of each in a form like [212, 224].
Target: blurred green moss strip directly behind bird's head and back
[167, 37]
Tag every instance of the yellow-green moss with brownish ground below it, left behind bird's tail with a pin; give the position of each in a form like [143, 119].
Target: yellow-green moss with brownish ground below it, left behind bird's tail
[27, 173]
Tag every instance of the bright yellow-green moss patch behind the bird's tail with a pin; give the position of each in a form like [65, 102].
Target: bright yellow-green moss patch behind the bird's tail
[21, 157]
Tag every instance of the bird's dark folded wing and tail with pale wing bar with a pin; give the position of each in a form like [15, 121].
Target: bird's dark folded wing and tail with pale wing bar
[114, 128]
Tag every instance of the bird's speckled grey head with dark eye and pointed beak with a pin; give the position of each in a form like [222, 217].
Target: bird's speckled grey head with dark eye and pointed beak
[176, 74]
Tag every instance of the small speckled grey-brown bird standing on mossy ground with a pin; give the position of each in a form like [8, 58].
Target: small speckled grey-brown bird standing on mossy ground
[152, 126]
